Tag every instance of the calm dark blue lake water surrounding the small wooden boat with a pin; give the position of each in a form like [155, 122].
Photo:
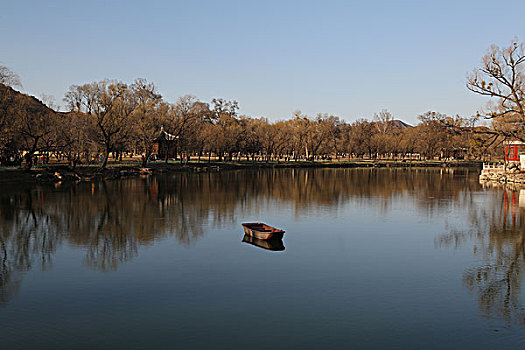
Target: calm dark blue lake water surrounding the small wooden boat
[372, 259]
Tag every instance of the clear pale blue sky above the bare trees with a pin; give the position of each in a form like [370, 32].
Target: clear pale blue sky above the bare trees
[349, 58]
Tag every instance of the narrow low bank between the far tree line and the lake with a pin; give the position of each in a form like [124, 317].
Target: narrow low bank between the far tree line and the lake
[62, 173]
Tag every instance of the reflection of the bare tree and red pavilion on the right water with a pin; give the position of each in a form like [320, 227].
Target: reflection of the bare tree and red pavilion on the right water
[498, 233]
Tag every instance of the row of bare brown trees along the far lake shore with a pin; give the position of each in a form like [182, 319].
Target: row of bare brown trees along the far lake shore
[110, 118]
